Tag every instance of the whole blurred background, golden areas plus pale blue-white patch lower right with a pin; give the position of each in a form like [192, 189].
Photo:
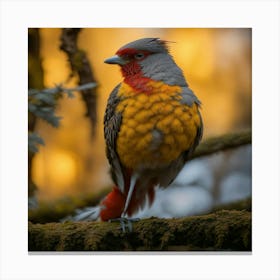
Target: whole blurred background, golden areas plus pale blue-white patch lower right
[217, 64]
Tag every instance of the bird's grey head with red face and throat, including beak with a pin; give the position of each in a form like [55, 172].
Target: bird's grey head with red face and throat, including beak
[147, 59]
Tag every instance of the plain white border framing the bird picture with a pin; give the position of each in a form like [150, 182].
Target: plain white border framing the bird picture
[262, 16]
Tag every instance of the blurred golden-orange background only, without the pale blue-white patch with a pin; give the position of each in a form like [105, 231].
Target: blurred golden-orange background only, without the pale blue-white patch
[217, 65]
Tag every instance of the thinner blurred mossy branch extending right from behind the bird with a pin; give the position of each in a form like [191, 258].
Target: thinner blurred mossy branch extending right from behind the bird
[222, 142]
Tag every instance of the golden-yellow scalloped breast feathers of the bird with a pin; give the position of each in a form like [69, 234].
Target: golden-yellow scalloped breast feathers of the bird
[155, 128]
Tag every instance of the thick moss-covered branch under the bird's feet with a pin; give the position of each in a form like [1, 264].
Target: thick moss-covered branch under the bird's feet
[221, 231]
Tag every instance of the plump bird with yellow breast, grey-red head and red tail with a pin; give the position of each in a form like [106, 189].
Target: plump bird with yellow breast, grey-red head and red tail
[152, 124]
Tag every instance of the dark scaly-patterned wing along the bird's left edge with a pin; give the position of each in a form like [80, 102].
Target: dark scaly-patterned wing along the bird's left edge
[112, 123]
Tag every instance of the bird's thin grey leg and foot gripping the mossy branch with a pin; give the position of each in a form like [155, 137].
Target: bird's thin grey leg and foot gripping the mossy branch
[124, 221]
